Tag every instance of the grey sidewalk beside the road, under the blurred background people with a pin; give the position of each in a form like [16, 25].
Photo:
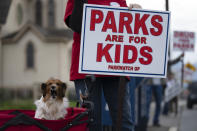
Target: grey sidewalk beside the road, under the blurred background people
[168, 123]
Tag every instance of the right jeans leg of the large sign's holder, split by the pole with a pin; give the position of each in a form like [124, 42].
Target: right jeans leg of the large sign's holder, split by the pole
[110, 89]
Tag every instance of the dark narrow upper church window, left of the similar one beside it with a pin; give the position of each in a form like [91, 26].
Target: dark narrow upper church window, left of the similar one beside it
[38, 12]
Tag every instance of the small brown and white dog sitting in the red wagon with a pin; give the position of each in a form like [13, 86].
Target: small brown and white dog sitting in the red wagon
[53, 103]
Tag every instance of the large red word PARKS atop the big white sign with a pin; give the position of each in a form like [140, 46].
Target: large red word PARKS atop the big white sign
[125, 21]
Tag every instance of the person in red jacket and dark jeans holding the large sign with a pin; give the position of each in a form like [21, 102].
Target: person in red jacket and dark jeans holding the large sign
[109, 84]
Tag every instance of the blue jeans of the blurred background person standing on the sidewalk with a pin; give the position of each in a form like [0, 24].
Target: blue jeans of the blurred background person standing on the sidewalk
[157, 92]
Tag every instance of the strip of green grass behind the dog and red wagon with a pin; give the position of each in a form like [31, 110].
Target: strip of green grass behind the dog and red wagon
[26, 104]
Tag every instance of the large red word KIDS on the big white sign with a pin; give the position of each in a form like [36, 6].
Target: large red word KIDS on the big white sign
[130, 54]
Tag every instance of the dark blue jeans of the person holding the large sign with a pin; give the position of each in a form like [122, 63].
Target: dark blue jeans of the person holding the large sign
[110, 86]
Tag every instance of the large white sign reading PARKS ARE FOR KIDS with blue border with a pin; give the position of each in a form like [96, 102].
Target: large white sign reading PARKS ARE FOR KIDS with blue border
[118, 41]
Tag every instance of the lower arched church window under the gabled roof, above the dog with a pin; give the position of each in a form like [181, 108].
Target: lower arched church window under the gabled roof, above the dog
[30, 55]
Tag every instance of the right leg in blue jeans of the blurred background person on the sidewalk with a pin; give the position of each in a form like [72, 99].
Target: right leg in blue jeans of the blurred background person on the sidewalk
[158, 100]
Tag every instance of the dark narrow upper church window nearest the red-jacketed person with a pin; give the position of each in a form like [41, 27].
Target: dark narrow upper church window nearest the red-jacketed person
[51, 13]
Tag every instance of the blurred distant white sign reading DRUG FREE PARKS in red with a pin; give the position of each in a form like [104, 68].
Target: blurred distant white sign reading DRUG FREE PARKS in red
[183, 41]
